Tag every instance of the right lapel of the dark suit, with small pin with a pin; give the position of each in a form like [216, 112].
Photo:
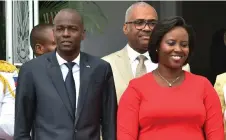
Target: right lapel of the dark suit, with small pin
[85, 71]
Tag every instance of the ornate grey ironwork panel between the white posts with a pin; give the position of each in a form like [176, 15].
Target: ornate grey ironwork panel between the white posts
[21, 46]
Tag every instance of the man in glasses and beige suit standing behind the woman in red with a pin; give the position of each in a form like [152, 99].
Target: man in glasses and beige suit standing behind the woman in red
[133, 60]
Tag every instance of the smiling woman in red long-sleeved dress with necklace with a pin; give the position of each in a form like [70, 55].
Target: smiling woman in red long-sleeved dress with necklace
[169, 103]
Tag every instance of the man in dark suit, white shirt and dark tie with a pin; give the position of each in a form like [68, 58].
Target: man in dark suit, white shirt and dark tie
[66, 94]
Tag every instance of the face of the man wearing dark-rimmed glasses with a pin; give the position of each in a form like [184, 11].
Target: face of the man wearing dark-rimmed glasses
[141, 21]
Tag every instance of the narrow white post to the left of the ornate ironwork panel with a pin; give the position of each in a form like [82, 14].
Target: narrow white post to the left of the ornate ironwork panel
[9, 27]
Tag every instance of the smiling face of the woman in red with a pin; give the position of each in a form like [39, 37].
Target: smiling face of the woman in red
[174, 48]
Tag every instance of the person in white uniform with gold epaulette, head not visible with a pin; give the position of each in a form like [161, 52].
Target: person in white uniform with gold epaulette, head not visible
[8, 81]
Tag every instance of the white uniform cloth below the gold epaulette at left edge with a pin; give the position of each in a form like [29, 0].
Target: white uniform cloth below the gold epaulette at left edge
[7, 107]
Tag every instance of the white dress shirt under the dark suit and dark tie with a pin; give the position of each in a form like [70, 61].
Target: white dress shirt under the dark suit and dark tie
[75, 70]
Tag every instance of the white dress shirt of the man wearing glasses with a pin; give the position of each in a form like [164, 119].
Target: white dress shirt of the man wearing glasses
[150, 66]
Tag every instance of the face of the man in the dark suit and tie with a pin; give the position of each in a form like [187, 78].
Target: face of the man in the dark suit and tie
[68, 32]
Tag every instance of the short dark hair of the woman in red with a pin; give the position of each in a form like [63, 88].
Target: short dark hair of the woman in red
[163, 27]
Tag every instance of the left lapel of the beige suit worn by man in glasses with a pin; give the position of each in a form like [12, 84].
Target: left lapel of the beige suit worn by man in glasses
[123, 65]
